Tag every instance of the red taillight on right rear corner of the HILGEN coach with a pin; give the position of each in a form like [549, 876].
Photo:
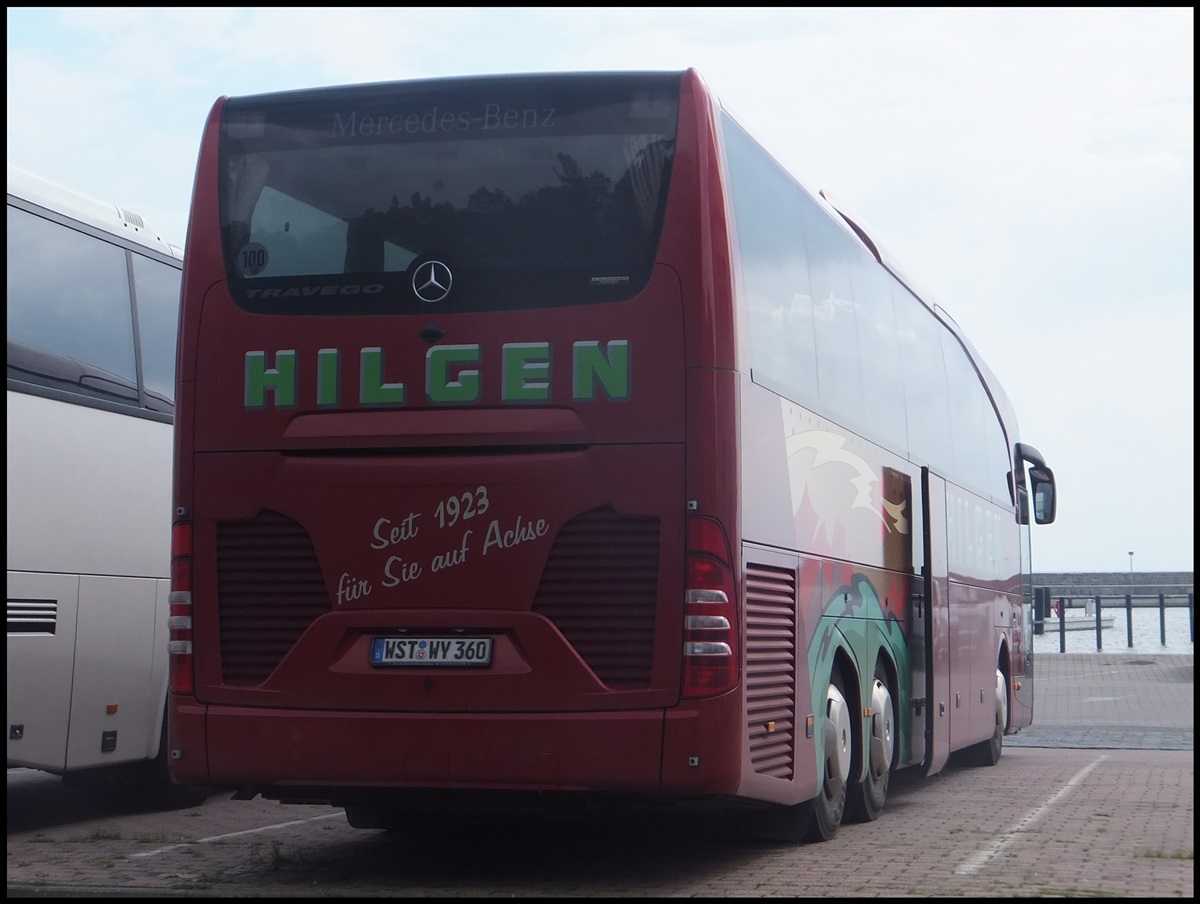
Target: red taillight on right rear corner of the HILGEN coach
[710, 636]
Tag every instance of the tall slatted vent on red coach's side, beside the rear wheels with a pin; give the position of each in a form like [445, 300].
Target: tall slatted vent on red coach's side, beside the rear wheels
[771, 669]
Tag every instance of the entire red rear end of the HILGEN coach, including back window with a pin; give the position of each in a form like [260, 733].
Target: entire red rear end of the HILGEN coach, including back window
[434, 418]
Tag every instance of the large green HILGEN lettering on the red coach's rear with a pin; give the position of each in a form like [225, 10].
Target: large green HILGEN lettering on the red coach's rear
[453, 375]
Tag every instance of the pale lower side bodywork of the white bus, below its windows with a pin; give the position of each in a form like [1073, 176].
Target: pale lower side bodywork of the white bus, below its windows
[92, 534]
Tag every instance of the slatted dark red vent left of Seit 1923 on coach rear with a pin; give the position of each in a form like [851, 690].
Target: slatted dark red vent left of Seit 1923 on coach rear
[269, 591]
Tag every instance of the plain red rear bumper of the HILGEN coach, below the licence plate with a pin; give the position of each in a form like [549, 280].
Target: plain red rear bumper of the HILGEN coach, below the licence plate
[644, 752]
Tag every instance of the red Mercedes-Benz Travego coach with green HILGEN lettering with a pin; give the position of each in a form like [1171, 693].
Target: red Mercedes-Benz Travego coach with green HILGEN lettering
[539, 439]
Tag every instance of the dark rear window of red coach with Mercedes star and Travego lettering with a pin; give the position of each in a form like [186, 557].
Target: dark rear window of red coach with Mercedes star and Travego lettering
[533, 191]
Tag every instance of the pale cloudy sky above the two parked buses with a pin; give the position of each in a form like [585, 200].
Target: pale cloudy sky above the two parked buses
[1031, 169]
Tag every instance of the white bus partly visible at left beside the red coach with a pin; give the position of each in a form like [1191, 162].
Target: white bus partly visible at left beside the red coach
[93, 316]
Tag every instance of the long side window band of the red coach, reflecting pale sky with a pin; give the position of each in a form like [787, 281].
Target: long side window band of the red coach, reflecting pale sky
[832, 330]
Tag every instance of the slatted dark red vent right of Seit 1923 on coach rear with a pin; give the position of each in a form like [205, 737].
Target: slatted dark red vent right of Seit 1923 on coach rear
[601, 590]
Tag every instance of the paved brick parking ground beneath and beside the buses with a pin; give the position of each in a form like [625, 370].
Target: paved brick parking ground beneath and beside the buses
[1095, 800]
